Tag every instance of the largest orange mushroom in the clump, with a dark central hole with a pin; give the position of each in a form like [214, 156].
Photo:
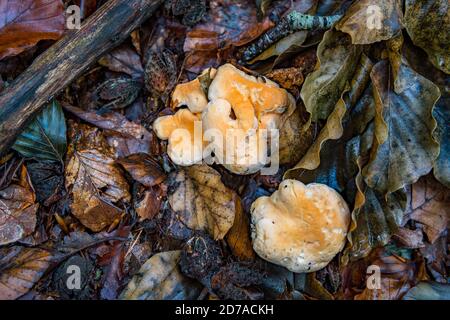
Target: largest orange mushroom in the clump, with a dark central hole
[245, 104]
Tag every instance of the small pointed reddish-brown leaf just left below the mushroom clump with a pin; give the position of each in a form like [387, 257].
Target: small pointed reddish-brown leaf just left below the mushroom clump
[143, 169]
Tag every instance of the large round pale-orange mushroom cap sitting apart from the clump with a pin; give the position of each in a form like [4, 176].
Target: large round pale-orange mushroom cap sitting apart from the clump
[301, 227]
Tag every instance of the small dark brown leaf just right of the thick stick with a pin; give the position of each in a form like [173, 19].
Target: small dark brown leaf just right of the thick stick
[123, 59]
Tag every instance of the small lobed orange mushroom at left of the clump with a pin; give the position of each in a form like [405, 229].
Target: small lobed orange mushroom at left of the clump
[185, 144]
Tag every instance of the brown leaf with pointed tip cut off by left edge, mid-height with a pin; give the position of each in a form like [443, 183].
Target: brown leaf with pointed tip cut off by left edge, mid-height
[18, 209]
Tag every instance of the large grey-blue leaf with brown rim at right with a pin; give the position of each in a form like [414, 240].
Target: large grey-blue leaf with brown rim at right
[404, 148]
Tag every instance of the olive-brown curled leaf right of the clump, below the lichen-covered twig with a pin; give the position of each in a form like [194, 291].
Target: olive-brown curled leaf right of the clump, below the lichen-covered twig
[337, 59]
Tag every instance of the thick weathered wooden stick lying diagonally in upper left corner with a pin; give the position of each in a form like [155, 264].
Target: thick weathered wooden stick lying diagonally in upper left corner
[65, 61]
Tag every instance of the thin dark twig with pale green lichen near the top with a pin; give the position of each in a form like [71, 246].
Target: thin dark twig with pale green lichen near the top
[294, 21]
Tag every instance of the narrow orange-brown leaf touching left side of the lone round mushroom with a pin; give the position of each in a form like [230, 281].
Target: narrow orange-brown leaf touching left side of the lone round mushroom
[238, 238]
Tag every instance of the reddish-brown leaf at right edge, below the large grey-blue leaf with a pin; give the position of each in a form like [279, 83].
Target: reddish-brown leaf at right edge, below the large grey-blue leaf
[429, 205]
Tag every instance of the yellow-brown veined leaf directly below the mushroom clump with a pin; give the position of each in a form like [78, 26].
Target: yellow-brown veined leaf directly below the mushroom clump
[202, 201]
